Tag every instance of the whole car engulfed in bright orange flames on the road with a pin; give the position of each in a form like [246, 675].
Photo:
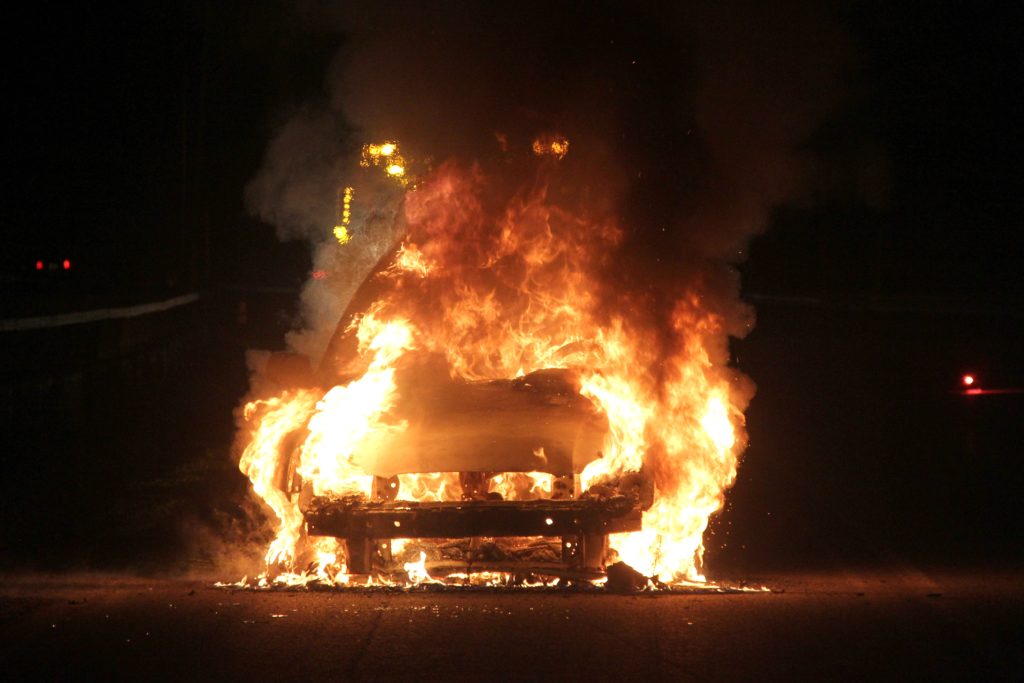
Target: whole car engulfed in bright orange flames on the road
[483, 415]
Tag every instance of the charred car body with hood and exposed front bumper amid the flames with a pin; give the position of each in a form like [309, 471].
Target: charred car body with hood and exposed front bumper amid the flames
[504, 458]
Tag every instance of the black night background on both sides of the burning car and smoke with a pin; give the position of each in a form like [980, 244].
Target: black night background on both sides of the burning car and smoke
[135, 132]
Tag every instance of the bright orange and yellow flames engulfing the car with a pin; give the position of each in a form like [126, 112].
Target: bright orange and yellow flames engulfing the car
[488, 292]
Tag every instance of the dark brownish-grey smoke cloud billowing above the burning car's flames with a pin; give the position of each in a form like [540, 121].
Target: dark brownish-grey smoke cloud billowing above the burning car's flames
[686, 123]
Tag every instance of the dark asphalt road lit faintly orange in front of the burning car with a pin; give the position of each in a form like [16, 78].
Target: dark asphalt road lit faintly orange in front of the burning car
[892, 625]
